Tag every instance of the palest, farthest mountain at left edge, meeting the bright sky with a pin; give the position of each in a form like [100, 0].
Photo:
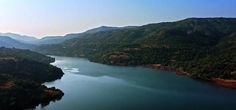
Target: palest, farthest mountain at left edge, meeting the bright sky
[20, 38]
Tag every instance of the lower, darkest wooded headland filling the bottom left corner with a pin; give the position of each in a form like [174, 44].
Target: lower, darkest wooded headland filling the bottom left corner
[36, 94]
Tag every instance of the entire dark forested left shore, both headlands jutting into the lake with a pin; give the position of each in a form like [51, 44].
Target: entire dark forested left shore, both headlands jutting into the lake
[21, 74]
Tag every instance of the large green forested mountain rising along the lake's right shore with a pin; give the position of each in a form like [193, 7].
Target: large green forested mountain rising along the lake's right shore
[202, 47]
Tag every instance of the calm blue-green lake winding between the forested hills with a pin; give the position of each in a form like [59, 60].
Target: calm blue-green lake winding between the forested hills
[93, 86]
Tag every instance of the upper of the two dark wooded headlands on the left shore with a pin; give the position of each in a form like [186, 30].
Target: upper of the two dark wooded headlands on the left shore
[28, 65]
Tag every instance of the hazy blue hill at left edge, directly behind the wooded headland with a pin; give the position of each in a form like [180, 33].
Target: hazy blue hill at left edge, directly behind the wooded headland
[6, 41]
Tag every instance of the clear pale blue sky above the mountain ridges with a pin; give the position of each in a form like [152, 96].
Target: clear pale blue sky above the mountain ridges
[41, 18]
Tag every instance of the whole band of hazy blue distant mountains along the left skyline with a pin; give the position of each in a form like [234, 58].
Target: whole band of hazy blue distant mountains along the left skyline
[22, 41]
